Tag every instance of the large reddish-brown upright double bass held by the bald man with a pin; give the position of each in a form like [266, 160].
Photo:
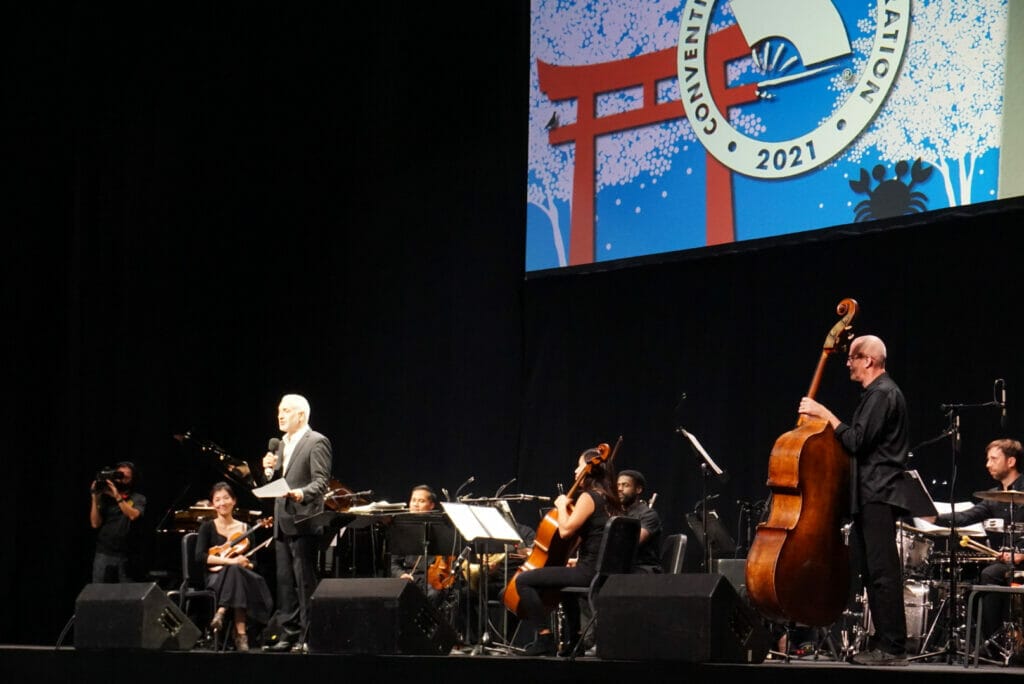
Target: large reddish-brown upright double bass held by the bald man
[798, 568]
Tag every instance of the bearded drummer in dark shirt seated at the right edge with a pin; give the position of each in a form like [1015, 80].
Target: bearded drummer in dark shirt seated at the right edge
[1003, 503]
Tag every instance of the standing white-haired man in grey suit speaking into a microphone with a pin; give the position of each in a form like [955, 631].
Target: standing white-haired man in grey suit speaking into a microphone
[304, 459]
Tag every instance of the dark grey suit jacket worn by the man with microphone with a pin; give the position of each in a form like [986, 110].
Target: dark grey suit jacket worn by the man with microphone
[310, 471]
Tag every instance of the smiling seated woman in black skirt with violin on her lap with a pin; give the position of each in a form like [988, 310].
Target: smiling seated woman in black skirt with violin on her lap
[225, 546]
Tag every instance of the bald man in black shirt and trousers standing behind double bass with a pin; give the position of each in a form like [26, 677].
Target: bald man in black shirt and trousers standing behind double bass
[878, 440]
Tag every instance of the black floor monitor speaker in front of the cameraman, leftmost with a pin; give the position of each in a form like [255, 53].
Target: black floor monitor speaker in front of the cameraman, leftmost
[132, 616]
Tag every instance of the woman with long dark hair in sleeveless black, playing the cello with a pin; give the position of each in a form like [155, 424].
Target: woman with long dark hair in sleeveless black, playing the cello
[598, 501]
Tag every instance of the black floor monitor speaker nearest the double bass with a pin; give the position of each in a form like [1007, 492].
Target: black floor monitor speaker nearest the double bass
[689, 617]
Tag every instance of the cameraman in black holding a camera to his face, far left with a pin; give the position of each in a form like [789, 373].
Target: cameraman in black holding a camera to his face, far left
[115, 508]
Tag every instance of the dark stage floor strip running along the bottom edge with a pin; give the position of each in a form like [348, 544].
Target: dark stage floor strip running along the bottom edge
[156, 667]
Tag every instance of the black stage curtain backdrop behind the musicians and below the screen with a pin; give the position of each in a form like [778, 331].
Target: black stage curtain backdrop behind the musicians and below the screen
[211, 206]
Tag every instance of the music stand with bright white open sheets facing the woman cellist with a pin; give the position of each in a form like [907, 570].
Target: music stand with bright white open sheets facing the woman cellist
[489, 532]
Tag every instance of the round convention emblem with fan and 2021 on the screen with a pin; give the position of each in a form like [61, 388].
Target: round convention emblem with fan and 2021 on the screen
[794, 85]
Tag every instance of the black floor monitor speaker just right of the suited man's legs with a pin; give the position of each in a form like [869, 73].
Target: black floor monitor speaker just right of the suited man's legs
[376, 616]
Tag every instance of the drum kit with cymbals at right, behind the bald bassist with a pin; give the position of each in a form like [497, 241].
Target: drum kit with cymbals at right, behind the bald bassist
[940, 568]
